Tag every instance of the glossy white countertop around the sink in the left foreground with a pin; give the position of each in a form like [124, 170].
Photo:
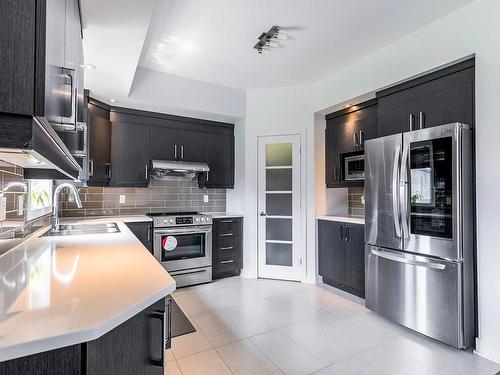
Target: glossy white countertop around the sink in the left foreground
[60, 291]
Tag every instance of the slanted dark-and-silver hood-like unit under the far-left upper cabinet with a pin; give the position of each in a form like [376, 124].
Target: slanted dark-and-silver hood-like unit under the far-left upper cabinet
[31, 142]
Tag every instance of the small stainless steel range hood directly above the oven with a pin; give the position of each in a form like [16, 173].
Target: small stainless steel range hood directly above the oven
[165, 170]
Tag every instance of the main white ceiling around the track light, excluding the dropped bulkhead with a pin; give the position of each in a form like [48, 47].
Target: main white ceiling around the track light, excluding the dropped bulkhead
[212, 40]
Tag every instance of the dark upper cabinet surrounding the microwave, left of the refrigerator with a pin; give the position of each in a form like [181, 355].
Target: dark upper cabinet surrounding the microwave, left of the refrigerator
[345, 135]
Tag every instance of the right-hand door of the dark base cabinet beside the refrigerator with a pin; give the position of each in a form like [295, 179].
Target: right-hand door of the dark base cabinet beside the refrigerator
[355, 258]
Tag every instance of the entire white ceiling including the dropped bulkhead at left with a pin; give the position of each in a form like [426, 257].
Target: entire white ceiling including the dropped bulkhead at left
[206, 46]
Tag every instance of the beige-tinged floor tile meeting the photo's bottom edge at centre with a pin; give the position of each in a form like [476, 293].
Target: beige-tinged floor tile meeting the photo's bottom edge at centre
[243, 357]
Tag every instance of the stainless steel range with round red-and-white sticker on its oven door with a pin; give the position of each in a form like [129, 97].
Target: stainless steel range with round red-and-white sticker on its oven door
[182, 243]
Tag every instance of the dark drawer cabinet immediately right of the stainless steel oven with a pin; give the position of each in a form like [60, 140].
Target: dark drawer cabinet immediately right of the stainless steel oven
[227, 256]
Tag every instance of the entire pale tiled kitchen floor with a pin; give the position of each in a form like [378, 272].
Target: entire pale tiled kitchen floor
[277, 327]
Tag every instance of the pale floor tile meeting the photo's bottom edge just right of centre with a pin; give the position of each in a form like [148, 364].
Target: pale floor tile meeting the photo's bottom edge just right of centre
[287, 355]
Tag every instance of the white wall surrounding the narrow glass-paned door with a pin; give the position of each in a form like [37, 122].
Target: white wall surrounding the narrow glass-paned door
[276, 112]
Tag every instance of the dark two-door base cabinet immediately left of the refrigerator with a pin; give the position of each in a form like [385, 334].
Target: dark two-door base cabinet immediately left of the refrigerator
[341, 260]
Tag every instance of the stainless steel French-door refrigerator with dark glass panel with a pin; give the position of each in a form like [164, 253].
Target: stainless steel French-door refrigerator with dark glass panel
[419, 231]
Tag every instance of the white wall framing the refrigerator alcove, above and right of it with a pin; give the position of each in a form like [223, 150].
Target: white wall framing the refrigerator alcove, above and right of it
[473, 29]
